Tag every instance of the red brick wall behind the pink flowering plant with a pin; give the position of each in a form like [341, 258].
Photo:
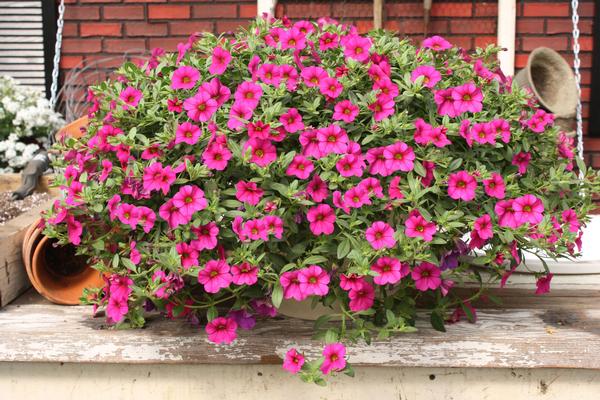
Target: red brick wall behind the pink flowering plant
[96, 29]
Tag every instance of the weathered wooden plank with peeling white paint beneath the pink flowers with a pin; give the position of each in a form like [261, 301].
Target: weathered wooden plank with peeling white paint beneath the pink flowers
[513, 338]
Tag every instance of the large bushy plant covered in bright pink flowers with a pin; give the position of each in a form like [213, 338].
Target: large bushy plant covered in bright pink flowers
[303, 161]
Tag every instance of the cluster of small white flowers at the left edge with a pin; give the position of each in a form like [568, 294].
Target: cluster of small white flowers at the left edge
[26, 120]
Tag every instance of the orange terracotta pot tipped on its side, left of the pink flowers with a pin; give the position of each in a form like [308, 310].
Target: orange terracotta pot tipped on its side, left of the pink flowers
[56, 272]
